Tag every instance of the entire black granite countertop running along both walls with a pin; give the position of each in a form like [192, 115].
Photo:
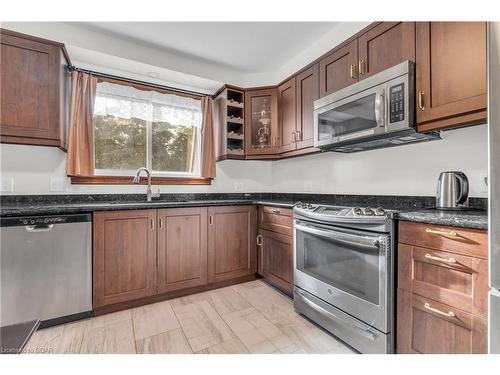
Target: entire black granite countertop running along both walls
[404, 208]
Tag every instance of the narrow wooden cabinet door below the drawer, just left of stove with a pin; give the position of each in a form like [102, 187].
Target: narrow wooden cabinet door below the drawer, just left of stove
[276, 259]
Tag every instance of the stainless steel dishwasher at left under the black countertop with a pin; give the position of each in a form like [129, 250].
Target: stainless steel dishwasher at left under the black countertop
[46, 268]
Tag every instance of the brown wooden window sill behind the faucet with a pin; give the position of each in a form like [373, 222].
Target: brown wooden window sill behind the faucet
[124, 180]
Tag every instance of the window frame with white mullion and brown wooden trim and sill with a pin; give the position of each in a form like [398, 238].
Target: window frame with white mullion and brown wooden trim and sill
[115, 176]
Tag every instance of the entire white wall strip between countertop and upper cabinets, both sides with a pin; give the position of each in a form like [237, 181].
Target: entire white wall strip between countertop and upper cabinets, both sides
[406, 170]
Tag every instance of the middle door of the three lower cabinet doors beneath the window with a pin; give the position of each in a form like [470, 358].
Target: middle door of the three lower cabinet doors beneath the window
[182, 248]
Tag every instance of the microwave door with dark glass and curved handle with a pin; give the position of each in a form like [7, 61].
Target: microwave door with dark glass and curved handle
[357, 116]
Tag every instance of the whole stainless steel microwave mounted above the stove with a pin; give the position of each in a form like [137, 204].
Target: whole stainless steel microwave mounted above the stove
[376, 112]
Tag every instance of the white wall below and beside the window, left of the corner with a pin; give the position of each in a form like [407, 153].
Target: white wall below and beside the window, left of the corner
[32, 167]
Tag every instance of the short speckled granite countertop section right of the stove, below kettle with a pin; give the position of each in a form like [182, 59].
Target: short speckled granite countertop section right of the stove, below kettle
[470, 218]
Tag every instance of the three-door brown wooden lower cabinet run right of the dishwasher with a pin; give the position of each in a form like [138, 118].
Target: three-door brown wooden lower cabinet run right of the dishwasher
[144, 256]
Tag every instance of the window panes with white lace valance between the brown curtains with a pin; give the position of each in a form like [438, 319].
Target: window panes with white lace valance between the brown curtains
[135, 128]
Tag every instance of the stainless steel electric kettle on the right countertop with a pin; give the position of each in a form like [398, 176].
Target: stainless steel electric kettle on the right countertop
[452, 191]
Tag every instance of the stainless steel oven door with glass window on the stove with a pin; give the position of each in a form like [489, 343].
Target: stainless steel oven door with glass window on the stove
[346, 268]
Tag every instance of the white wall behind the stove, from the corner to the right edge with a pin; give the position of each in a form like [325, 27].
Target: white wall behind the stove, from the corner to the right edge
[405, 170]
